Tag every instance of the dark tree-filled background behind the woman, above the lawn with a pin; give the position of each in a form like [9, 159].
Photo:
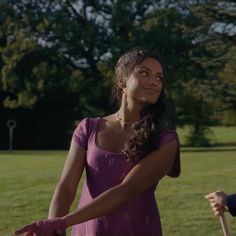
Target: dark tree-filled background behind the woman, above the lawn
[57, 61]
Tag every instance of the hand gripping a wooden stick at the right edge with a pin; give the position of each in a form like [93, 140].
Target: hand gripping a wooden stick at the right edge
[218, 202]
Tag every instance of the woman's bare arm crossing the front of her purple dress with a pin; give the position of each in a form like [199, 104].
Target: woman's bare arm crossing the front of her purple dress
[143, 175]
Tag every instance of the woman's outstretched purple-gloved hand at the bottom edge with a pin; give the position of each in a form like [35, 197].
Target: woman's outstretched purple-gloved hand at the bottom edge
[51, 227]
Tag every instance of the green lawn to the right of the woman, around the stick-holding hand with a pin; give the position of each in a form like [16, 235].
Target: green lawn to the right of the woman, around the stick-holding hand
[183, 209]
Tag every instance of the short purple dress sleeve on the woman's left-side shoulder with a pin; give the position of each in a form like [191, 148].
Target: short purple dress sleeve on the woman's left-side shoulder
[80, 134]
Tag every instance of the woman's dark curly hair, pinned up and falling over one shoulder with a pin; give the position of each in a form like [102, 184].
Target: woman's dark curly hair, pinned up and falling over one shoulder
[146, 132]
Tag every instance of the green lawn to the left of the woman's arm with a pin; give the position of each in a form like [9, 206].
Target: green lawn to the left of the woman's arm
[27, 182]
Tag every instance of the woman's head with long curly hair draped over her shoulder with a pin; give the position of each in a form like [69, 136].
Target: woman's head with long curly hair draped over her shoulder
[139, 78]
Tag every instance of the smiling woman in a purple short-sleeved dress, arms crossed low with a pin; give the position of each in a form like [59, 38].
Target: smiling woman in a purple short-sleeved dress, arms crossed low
[125, 155]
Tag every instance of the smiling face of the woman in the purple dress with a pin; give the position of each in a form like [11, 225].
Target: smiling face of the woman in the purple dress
[145, 82]
